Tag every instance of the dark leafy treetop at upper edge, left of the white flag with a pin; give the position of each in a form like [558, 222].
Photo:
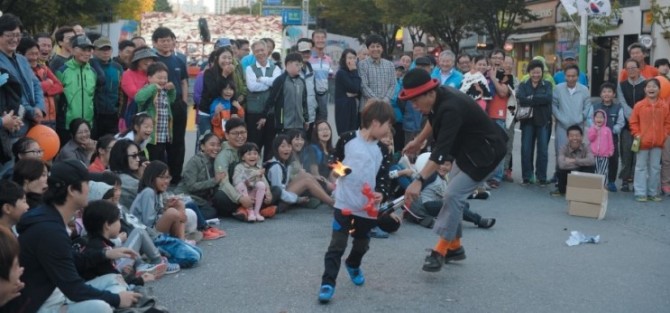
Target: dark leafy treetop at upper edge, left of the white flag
[499, 19]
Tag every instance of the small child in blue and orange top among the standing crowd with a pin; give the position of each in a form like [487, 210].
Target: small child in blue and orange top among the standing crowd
[223, 109]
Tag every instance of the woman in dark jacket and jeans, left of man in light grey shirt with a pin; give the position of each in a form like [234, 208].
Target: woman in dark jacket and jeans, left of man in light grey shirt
[536, 93]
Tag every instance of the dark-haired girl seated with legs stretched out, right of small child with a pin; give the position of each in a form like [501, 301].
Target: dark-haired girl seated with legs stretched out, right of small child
[278, 171]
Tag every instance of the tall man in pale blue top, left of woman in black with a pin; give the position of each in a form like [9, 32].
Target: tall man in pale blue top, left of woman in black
[323, 69]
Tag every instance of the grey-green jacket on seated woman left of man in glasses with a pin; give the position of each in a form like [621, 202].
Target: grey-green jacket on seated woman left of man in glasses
[197, 180]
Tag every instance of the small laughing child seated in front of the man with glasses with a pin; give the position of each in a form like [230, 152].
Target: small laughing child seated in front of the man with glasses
[249, 180]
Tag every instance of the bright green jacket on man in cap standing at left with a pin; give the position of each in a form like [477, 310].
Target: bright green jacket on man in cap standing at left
[79, 83]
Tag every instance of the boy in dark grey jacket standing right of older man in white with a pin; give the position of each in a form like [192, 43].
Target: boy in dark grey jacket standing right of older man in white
[287, 103]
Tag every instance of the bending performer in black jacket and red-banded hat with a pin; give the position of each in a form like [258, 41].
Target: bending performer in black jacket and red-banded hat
[461, 129]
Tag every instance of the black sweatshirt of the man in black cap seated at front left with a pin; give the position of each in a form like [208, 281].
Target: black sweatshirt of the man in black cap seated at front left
[50, 261]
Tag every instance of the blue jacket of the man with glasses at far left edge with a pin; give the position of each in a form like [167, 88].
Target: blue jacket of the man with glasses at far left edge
[32, 95]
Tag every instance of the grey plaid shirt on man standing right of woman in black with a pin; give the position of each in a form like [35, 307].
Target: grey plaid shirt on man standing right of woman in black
[378, 79]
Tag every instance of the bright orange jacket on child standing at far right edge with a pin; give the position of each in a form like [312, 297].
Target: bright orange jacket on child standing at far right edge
[650, 122]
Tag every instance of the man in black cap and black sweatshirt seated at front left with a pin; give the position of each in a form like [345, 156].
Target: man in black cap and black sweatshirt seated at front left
[52, 281]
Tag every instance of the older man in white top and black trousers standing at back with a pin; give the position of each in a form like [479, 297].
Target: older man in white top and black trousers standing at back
[259, 76]
